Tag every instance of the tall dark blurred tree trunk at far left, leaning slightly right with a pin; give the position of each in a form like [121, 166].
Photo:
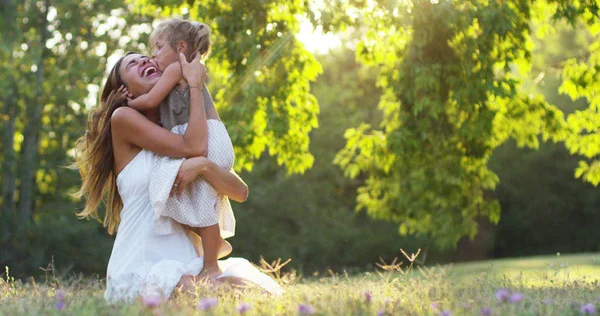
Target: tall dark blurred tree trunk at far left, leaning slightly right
[31, 134]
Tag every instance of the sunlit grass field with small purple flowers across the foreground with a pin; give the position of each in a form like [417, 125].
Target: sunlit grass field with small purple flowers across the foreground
[545, 285]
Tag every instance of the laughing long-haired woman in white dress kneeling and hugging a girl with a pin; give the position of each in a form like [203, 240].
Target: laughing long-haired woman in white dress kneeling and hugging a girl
[115, 158]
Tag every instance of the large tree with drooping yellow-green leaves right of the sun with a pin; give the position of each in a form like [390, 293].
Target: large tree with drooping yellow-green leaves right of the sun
[450, 72]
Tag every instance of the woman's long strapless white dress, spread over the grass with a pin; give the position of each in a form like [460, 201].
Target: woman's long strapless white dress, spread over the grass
[143, 263]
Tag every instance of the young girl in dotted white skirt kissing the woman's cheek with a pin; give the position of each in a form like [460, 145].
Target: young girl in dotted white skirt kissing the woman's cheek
[200, 207]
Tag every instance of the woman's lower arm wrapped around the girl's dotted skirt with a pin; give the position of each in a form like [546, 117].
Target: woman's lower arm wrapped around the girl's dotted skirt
[224, 181]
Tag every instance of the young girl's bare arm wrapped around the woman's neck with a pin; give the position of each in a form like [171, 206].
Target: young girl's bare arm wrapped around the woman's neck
[169, 79]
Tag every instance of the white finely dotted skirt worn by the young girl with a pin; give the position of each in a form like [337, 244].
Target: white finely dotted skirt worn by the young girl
[200, 205]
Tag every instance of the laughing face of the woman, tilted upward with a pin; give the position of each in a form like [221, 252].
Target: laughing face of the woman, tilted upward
[139, 74]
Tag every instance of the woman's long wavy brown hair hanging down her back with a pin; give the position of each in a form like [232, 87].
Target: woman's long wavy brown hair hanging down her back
[95, 159]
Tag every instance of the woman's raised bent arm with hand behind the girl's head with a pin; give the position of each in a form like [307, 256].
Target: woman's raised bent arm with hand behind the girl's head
[134, 128]
